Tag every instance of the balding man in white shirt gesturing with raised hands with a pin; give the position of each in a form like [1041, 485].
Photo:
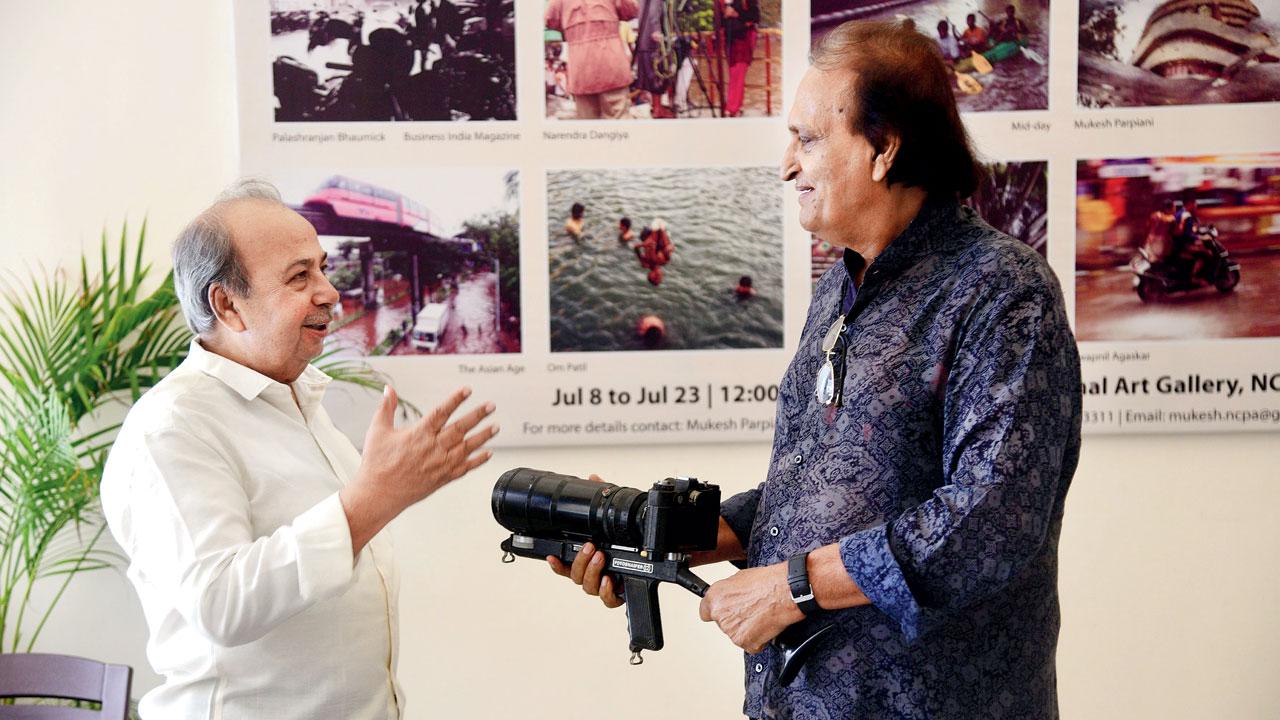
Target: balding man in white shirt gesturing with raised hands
[253, 526]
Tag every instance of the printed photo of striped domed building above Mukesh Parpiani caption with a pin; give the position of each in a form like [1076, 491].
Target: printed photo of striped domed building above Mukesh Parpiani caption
[1137, 53]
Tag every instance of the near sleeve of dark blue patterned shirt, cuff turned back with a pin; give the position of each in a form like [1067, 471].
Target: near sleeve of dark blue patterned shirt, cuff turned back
[1012, 418]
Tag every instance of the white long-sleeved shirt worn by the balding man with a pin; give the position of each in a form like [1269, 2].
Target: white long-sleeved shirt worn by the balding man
[223, 491]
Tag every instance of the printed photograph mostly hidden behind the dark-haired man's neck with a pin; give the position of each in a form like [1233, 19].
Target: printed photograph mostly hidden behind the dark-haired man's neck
[1012, 198]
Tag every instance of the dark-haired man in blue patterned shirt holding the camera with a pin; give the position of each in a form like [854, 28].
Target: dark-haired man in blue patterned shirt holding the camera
[915, 502]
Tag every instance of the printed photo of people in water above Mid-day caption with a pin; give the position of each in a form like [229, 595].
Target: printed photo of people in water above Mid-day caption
[998, 49]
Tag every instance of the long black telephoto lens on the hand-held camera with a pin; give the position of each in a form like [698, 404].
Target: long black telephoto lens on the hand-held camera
[538, 503]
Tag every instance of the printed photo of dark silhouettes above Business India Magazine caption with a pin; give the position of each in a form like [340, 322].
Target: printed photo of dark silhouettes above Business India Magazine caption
[344, 61]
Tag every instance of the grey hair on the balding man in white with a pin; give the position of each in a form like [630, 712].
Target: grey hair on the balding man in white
[204, 256]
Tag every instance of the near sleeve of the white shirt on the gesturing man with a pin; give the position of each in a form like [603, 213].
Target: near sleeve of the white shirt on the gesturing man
[193, 532]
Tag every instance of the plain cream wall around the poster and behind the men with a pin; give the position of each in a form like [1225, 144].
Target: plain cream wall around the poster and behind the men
[1171, 558]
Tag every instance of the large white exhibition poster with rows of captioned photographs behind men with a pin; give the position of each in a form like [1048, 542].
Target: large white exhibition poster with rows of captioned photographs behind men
[600, 240]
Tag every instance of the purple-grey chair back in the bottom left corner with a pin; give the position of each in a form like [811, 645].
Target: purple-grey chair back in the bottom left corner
[67, 678]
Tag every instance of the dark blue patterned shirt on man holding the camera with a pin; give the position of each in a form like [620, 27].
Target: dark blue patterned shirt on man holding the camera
[943, 479]
